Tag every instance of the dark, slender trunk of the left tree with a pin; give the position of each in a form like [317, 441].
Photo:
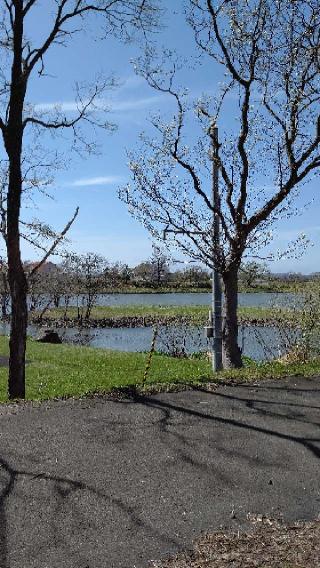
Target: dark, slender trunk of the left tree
[17, 280]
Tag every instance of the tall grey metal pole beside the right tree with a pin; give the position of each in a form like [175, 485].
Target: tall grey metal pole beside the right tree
[216, 281]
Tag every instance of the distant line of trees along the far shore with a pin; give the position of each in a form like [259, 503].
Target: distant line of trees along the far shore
[87, 275]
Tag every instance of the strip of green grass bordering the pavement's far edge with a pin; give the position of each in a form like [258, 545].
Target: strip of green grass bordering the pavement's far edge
[55, 371]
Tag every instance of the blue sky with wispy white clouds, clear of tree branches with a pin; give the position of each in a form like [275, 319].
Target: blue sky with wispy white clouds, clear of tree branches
[103, 224]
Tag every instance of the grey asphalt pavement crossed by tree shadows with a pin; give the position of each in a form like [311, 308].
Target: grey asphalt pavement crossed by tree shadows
[105, 484]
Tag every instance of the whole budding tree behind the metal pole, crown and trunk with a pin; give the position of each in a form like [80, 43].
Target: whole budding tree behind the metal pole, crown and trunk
[269, 51]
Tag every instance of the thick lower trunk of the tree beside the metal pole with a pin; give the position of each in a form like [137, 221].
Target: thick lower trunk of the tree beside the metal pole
[231, 351]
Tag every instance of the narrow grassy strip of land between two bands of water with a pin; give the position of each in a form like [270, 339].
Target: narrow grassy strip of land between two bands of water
[194, 314]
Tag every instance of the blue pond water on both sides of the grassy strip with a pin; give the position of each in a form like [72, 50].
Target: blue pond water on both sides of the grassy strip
[259, 343]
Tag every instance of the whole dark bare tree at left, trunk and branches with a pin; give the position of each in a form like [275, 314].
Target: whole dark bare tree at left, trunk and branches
[24, 59]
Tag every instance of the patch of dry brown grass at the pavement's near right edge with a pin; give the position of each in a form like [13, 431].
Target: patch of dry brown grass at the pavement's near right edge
[269, 545]
